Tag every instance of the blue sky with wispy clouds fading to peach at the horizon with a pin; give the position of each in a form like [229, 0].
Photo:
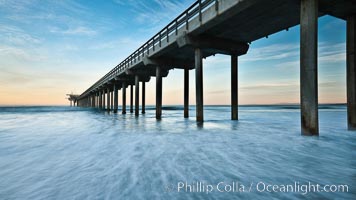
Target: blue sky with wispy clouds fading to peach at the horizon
[52, 48]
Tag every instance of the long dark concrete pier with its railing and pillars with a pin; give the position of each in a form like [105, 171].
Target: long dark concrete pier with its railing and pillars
[210, 27]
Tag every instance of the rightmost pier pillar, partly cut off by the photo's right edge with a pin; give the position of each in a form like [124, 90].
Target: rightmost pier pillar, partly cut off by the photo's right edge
[351, 72]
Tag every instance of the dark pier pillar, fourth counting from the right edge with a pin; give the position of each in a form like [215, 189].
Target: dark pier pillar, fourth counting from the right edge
[199, 85]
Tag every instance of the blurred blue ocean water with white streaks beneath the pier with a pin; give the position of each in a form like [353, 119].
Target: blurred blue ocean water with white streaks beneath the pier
[83, 153]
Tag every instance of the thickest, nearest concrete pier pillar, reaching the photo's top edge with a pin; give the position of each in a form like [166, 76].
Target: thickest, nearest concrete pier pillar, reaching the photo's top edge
[309, 67]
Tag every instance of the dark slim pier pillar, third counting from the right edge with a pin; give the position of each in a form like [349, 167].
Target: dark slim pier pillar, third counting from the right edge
[234, 87]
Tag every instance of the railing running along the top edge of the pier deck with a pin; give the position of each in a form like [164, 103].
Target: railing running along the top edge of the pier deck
[195, 10]
